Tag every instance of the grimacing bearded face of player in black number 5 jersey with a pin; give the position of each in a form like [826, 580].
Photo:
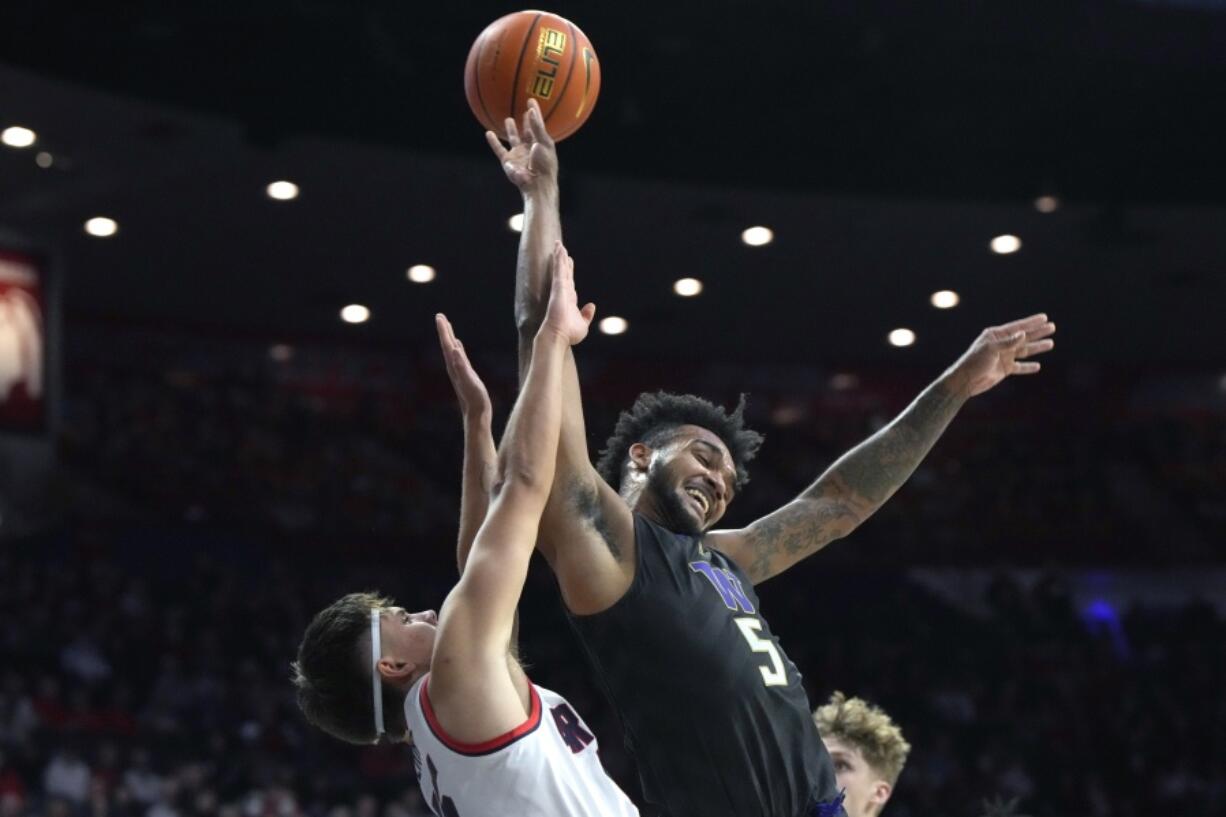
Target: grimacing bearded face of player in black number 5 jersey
[692, 480]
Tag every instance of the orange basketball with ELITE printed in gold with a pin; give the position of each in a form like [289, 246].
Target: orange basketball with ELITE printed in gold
[533, 55]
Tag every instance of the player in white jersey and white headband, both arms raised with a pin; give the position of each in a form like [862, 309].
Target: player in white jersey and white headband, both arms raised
[486, 742]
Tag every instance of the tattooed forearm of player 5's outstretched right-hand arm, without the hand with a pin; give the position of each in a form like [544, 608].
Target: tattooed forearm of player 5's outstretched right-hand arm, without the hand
[867, 477]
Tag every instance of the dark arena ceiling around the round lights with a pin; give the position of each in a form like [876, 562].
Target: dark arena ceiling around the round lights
[885, 143]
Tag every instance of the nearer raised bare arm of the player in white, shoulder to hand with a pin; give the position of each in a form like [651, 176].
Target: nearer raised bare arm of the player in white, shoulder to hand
[476, 623]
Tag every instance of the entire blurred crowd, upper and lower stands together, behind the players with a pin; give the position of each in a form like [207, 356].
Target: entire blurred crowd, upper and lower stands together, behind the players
[209, 510]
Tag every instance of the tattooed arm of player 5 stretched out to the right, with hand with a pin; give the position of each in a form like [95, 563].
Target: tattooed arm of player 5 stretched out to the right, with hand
[861, 481]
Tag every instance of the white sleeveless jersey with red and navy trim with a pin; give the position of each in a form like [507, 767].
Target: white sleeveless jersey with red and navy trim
[546, 767]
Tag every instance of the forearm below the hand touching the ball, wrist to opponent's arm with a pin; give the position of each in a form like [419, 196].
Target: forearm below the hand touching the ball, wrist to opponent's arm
[543, 230]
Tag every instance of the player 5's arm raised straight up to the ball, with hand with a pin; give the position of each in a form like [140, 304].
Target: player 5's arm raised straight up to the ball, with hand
[588, 531]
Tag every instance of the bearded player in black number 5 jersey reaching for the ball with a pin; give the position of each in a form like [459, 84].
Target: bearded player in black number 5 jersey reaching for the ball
[713, 711]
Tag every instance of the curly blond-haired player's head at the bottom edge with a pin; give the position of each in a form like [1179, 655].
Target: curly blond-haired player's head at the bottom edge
[867, 749]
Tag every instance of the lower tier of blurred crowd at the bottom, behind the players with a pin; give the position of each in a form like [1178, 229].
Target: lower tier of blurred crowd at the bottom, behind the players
[148, 677]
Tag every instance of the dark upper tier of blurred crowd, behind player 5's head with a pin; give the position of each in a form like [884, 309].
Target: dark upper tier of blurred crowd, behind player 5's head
[365, 445]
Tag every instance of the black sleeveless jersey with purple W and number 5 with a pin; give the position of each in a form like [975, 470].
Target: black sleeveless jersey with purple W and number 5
[714, 713]
